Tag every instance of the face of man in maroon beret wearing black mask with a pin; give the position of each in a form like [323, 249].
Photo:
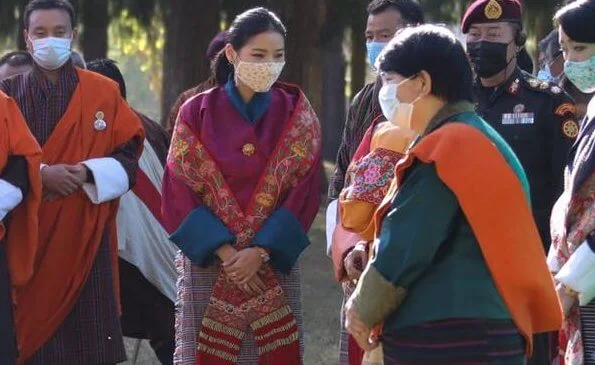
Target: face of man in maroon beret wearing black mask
[491, 47]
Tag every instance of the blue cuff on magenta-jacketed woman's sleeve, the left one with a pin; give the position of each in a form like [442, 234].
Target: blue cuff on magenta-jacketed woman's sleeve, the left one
[200, 235]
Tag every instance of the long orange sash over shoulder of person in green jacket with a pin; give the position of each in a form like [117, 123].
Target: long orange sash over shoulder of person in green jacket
[512, 247]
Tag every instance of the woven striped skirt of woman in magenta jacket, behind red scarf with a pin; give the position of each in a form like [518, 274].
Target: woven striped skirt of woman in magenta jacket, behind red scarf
[195, 286]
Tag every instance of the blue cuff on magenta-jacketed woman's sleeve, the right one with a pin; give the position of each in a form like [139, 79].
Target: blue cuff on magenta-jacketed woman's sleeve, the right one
[283, 235]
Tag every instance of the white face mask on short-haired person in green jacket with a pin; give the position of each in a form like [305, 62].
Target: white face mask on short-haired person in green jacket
[396, 112]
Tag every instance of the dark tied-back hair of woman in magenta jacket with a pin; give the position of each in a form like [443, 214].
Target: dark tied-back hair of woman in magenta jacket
[245, 26]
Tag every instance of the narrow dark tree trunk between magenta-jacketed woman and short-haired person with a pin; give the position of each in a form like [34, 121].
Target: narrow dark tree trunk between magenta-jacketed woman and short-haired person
[333, 82]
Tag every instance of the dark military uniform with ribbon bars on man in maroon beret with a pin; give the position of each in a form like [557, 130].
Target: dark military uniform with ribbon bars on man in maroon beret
[538, 121]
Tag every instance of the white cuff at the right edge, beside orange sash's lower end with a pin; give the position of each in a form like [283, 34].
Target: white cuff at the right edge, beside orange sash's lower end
[578, 273]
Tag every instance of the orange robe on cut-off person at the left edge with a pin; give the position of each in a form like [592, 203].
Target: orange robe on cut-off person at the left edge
[22, 240]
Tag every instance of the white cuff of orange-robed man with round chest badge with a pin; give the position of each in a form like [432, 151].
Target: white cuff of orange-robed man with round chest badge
[111, 180]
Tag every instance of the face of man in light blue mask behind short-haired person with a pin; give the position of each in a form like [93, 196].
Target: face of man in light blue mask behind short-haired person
[380, 29]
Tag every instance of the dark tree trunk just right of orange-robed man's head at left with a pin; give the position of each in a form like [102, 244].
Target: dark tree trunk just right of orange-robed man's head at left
[95, 19]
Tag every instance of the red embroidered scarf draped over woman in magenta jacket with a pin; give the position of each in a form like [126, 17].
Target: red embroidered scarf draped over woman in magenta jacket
[231, 312]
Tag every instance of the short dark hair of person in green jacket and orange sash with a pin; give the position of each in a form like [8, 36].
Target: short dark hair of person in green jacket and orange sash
[437, 51]
